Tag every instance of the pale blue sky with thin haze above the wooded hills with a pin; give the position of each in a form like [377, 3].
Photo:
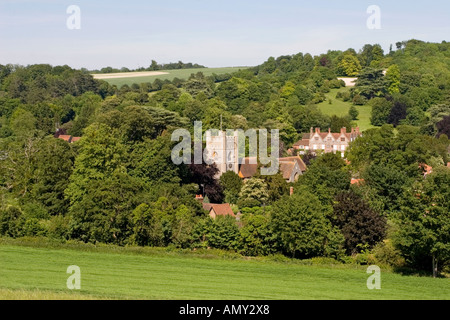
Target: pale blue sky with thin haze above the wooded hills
[209, 32]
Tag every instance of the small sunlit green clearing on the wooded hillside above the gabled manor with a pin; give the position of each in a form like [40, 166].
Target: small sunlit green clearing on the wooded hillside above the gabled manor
[340, 108]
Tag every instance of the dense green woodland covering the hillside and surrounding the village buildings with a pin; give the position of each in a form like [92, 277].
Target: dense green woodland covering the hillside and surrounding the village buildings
[118, 184]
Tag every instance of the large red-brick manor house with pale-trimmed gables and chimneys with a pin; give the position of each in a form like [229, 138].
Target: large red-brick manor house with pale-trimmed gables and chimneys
[326, 141]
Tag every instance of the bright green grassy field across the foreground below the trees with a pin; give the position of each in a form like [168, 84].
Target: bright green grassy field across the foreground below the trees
[33, 272]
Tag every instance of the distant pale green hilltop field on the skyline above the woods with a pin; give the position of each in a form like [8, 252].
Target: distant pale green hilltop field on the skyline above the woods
[180, 73]
